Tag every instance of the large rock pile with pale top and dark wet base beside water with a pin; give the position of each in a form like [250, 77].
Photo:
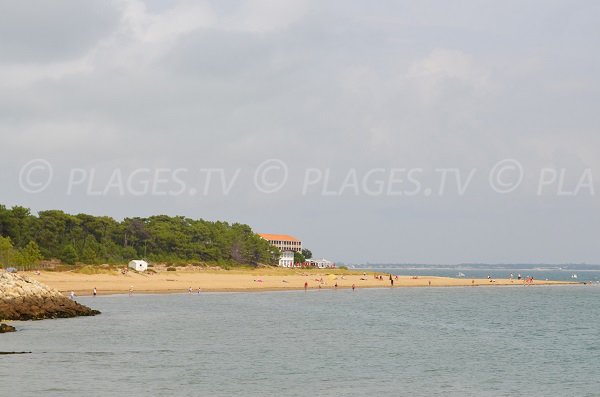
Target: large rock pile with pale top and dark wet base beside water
[22, 298]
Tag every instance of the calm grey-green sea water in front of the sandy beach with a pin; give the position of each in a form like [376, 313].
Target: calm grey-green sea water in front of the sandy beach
[468, 341]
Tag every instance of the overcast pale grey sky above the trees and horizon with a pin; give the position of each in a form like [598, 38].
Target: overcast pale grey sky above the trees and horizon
[394, 132]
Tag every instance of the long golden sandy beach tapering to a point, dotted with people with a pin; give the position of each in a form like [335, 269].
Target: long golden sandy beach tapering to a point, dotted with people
[206, 280]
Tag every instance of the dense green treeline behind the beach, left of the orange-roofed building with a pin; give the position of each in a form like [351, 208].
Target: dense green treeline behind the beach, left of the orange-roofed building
[91, 239]
